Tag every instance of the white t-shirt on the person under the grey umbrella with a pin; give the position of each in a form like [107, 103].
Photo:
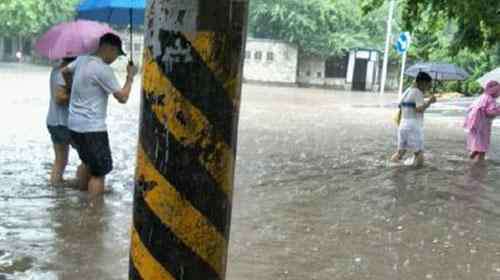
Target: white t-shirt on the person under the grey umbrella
[411, 99]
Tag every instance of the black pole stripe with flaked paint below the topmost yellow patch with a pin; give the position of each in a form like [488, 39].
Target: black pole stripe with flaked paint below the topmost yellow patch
[190, 75]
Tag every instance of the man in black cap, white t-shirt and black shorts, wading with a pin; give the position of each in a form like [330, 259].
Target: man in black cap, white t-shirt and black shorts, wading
[93, 82]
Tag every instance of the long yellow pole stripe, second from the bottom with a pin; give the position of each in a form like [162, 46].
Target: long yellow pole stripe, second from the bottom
[189, 225]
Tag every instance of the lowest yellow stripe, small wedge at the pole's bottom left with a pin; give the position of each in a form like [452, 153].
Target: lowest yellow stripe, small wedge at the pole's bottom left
[146, 264]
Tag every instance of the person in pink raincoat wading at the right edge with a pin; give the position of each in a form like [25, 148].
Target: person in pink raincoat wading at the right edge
[479, 120]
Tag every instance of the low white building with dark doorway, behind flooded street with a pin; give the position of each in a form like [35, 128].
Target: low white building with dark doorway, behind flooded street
[271, 61]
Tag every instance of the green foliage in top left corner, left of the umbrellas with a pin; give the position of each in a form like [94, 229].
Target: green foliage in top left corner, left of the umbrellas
[29, 17]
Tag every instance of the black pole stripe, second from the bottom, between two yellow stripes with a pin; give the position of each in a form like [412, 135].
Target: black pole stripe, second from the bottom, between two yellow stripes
[180, 166]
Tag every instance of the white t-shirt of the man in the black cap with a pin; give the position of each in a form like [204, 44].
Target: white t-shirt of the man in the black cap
[93, 82]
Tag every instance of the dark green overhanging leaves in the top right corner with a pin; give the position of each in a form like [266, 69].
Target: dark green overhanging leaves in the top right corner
[477, 21]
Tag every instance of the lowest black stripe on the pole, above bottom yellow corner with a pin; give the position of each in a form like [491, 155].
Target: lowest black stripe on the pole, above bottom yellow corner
[164, 246]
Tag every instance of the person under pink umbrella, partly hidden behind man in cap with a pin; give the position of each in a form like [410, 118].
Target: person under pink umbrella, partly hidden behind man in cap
[57, 121]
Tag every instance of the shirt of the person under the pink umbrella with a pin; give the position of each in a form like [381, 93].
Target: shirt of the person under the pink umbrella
[58, 114]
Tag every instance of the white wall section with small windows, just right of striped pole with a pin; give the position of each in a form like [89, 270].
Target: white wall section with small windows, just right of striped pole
[282, 68]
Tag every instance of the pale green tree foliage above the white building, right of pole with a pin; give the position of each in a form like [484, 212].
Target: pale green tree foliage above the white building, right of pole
[321, 27]
